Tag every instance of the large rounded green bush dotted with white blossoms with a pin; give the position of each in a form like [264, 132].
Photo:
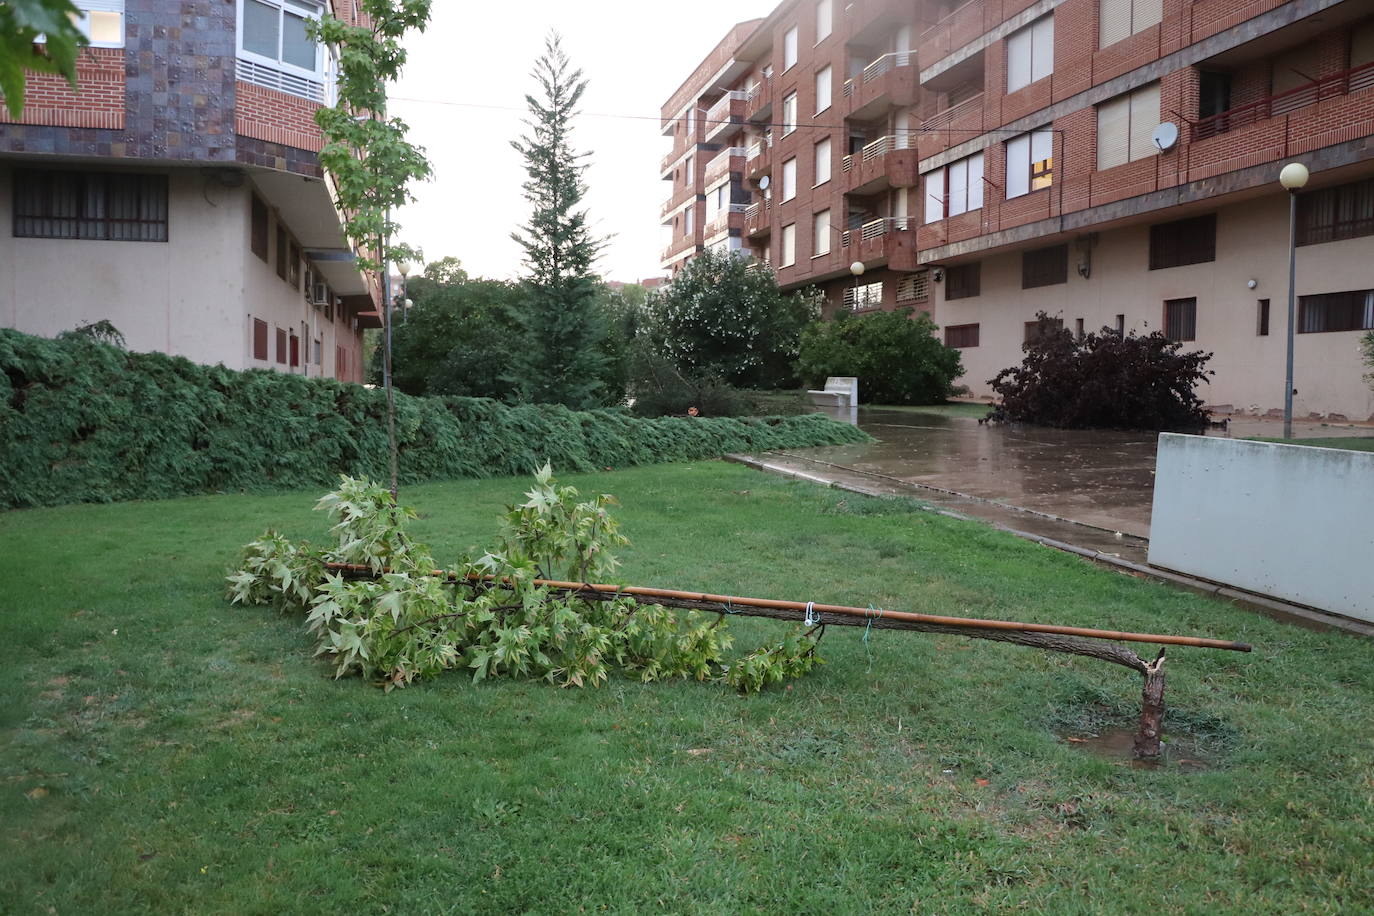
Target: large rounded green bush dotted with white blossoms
[723, 318]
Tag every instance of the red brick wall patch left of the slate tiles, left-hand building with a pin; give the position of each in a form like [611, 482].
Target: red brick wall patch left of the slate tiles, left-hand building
[97, 102]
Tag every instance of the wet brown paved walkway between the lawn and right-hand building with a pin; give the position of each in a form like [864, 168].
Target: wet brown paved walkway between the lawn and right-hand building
[1027, 479]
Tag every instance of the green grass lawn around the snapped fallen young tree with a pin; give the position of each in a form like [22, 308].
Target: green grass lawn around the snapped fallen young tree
[164, 752]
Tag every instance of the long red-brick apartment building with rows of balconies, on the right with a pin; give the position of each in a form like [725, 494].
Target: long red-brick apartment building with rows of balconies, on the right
[1111, 163]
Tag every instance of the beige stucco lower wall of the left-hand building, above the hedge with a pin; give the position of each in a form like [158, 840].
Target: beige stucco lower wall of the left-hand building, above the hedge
[194, 296]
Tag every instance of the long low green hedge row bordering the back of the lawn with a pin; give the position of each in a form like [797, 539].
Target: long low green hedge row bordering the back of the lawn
[83, 422]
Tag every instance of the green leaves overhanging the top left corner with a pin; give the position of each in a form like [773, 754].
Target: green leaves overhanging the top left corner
[21, 25]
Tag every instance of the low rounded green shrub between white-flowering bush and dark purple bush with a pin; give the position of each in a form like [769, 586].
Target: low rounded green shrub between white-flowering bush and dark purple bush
[898, 359]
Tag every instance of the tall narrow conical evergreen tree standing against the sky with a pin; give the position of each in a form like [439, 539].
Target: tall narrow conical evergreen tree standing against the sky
[563, 359]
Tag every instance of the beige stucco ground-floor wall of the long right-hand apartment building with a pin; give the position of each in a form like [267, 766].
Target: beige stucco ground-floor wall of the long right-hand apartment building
[1251, 244]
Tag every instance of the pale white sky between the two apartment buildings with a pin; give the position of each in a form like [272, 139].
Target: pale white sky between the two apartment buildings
[634, 54]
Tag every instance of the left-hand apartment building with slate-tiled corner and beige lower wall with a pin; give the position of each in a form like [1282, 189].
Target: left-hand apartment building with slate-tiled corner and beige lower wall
[178, 193]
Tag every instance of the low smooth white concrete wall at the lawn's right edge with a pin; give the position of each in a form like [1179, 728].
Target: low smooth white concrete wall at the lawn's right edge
[1288, 521]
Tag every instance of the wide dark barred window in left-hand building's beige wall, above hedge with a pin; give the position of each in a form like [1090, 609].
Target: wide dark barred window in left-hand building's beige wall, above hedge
[117, 207]
